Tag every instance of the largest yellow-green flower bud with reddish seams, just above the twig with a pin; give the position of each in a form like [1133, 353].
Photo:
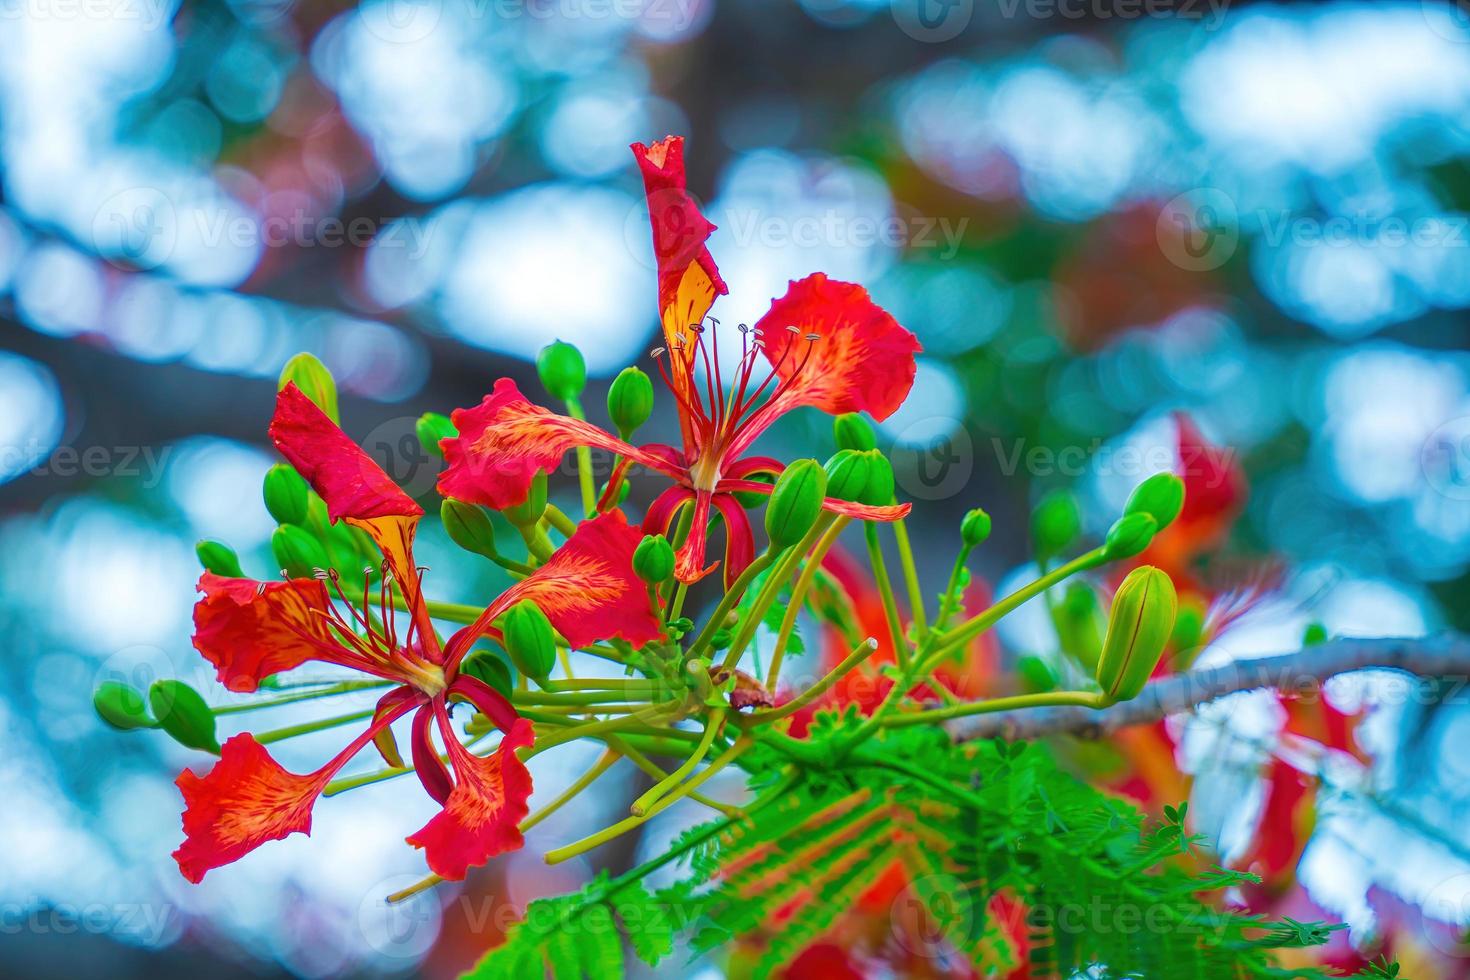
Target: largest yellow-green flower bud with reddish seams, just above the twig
[1139, 630]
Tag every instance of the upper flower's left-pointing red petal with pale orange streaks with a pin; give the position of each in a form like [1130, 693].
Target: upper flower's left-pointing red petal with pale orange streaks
[505, 442]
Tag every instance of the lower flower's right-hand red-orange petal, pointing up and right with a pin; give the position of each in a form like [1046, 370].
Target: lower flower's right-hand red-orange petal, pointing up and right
[587, 590]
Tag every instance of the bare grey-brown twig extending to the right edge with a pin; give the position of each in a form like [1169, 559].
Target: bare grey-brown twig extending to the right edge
[1444, 656]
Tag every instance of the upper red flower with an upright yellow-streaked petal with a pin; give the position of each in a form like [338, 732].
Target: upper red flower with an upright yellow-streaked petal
[828, 346]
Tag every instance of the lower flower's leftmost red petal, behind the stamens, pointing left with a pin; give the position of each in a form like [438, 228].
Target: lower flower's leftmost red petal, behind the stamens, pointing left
[254, 630]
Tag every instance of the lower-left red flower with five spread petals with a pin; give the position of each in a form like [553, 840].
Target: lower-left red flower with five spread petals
[252, 630]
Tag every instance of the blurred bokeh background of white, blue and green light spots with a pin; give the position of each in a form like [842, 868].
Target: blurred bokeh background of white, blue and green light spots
[1093, 214]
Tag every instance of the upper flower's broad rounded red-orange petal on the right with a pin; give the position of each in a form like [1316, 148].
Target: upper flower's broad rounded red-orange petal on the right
[862, 361]
